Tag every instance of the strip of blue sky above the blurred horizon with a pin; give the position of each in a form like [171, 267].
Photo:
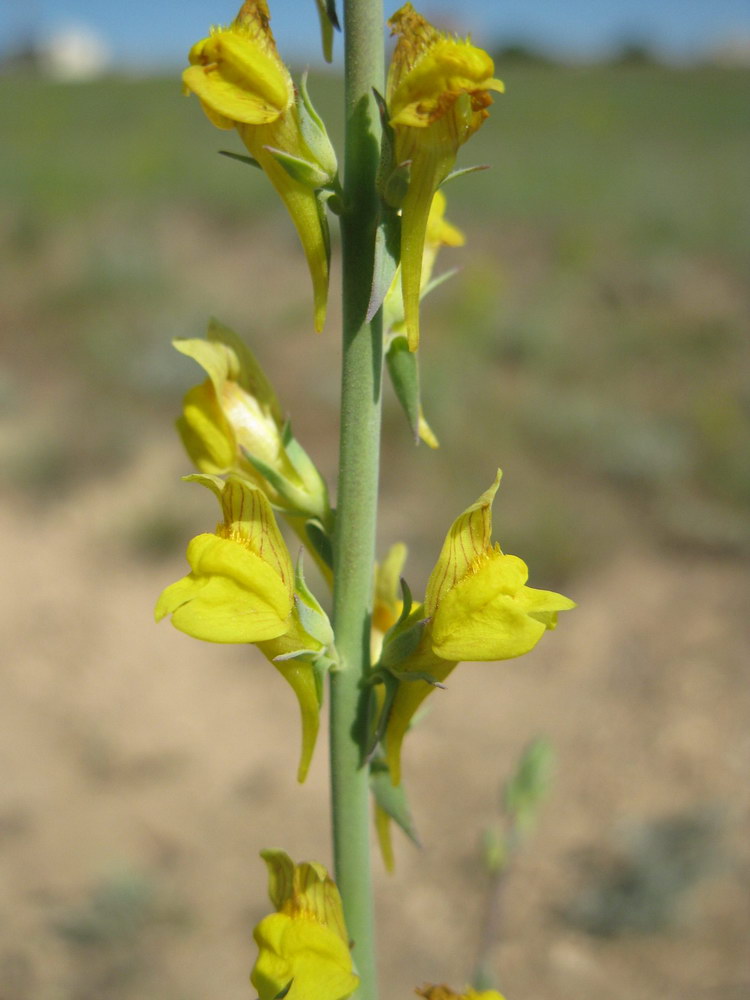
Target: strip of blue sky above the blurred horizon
[159, 32]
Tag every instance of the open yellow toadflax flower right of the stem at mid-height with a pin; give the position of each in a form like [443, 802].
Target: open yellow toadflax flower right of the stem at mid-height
[477, 607]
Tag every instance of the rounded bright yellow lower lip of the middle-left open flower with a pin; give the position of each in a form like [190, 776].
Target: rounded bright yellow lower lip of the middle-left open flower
[231, 595]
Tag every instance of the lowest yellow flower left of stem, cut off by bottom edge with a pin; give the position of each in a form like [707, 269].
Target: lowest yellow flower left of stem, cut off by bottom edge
[304, 945]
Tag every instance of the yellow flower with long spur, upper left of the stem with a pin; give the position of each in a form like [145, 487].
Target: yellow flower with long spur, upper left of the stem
[242, 83]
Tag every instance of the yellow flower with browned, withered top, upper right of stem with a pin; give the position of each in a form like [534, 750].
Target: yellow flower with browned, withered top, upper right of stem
[438, 93]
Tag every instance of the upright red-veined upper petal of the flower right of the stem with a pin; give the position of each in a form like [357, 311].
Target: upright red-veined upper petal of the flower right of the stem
[467, 540]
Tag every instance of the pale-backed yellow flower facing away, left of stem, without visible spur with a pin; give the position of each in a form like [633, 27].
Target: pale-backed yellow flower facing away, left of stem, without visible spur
[235, 414]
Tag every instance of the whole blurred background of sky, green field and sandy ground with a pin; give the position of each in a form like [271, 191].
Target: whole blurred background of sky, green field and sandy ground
[594, 344]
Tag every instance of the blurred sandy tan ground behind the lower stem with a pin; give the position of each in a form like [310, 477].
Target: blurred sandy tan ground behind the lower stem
[143, 772]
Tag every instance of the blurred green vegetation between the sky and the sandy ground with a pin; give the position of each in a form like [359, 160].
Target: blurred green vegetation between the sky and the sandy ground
[595, 344]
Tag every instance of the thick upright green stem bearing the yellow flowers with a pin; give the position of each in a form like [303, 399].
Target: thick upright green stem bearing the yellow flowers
[354, 545]
